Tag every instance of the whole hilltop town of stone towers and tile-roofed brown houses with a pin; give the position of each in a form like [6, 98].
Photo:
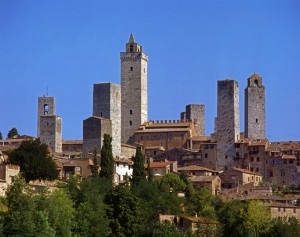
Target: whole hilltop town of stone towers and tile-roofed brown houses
[230, 163]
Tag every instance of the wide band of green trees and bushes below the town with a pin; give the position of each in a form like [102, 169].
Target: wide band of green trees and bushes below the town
[93, 207]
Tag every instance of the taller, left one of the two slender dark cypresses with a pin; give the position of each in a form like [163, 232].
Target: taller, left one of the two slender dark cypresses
[107, 161]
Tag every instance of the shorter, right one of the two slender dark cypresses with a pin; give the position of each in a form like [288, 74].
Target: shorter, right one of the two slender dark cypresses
[138, 173]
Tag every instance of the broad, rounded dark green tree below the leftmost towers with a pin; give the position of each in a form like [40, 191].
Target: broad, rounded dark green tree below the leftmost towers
[34, 160]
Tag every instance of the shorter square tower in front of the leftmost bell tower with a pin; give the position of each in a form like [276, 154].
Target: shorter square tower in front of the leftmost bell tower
[50, 132]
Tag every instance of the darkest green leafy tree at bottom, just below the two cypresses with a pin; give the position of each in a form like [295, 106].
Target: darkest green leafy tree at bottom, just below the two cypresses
[123, 212]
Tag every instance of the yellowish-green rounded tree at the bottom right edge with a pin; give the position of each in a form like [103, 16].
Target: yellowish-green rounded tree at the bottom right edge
[258, 218]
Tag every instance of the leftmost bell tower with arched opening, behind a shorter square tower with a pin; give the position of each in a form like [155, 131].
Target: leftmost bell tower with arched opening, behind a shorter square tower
[46, 106]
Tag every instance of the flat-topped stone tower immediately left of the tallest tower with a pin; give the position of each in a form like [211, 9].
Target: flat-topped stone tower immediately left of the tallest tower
[107, 104]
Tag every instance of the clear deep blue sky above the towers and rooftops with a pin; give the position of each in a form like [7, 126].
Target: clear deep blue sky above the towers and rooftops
[67, 46]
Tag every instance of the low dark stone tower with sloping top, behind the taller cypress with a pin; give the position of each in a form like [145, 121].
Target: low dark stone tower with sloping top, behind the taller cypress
[94, 129]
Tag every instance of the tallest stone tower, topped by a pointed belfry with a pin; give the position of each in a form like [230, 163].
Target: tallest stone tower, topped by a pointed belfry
[134, 93]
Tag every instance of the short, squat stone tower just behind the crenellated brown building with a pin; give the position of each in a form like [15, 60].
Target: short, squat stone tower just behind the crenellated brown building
[196, 113]
